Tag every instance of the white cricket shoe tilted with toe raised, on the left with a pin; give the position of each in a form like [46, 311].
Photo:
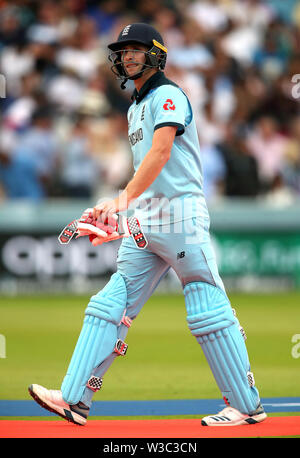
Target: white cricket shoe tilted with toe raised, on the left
[52, 400]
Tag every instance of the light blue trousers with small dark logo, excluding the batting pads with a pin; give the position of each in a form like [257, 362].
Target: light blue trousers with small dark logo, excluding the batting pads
[186, 247]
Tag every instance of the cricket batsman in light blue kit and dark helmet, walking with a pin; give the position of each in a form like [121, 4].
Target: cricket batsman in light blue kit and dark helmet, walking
[166, 193]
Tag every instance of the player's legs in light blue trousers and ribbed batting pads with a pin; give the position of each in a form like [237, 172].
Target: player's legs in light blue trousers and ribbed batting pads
[185, 247]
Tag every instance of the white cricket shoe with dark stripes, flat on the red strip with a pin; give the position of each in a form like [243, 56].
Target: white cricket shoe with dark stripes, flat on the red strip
[233, 417]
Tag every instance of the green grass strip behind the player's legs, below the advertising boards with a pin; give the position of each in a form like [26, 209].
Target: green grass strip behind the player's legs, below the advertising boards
[163, 360]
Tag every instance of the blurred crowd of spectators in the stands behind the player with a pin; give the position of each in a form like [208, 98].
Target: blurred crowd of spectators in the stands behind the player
[63, 125]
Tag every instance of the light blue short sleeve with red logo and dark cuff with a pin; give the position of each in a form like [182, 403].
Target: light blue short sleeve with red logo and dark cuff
[170, 107]
